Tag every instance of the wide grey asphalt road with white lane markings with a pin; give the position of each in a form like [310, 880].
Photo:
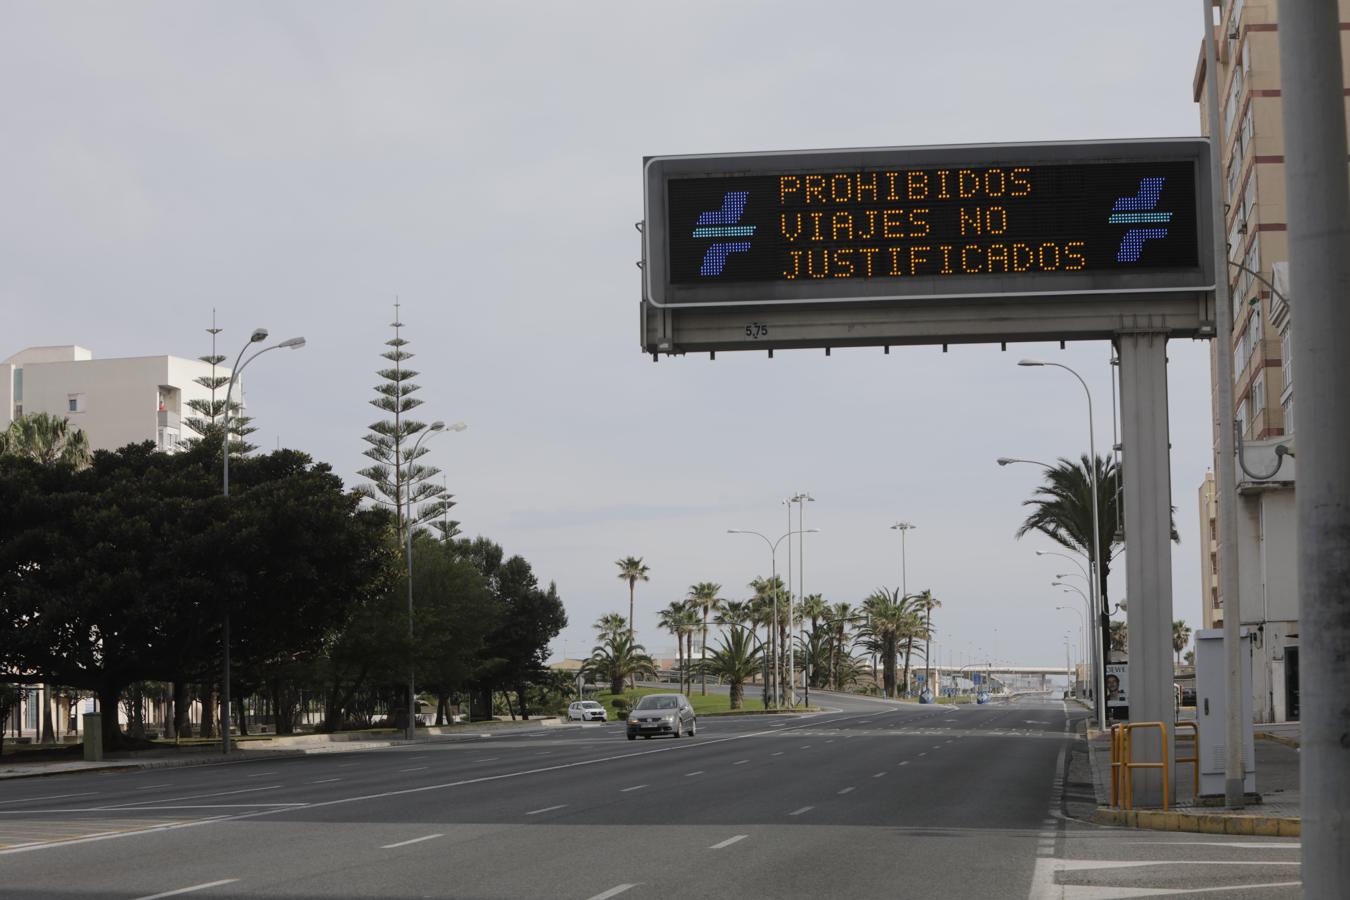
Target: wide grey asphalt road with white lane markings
[874, 799]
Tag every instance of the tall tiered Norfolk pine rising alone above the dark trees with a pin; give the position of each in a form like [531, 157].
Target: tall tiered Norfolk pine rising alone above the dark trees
[396, 480]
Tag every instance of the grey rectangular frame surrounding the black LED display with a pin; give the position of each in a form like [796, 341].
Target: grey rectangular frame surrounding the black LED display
[661, 293]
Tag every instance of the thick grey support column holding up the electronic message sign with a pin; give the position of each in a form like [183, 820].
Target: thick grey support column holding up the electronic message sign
[1148, 553]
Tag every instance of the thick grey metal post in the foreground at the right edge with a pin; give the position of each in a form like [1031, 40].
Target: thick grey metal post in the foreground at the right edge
[1320, 275]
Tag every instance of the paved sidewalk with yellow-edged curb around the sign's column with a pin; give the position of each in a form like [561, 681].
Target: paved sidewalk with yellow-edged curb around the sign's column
[1279, 813]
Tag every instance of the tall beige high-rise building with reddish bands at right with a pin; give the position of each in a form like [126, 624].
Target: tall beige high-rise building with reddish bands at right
[1252, 148]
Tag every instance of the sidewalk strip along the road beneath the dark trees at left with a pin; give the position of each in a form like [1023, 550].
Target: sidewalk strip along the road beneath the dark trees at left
[276, 748]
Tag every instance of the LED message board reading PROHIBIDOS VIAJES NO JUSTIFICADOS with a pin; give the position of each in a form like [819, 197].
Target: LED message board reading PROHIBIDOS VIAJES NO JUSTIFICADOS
[904, 225]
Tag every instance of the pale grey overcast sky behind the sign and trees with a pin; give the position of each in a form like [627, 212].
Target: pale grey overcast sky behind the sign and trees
[299, 165]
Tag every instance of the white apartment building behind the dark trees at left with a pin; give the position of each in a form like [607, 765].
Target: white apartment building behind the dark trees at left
[113, 401]
